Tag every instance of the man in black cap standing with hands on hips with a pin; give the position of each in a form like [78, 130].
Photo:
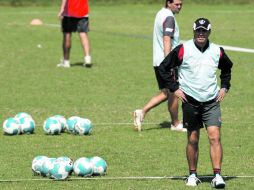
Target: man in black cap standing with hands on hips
[190, 72]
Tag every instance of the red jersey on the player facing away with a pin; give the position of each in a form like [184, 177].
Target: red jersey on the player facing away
[76, 8]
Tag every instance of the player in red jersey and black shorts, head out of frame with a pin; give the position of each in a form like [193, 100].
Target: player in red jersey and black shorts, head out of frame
[74, 17]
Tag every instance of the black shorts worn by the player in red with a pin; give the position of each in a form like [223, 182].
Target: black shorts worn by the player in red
[71, 24]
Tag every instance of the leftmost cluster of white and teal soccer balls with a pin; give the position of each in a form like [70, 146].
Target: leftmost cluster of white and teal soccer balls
[22, 123]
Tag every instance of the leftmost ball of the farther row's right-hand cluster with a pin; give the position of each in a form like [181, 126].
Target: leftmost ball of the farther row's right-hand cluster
[52, 126]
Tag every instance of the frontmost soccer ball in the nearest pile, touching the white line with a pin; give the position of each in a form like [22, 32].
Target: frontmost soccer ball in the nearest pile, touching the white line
[58, 170]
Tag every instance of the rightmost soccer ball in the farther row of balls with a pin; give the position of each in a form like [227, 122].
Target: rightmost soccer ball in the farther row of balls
[83, 127]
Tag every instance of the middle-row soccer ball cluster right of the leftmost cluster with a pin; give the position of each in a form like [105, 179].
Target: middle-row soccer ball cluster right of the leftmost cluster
[75, 125]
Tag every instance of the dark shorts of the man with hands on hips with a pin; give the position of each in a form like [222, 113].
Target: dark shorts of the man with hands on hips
[197, 114]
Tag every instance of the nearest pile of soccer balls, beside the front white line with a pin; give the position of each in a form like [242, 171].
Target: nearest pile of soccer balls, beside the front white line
[61, 168]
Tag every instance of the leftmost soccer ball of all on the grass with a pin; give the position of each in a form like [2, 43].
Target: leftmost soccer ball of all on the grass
[11, 126]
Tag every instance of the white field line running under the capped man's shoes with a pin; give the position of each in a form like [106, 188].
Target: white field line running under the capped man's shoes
[122, 178]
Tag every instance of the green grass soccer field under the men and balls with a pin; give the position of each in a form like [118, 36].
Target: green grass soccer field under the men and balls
[120, 81]
